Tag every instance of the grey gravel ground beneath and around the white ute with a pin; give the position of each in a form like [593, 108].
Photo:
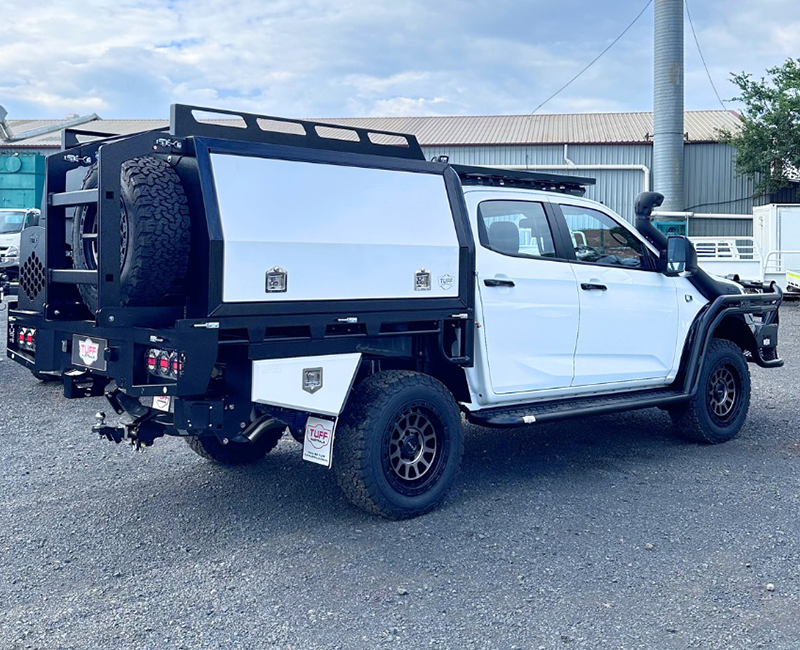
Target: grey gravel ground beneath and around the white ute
[604, 533]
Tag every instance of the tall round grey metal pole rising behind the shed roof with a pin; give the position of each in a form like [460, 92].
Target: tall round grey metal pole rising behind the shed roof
[668, 126]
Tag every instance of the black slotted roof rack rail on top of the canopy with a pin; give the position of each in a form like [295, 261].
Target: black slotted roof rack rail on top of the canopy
[187, 120]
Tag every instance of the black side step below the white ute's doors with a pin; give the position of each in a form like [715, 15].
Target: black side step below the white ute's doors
[521, 414]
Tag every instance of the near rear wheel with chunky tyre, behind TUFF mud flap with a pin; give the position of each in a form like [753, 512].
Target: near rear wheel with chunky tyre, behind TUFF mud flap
[399, 444]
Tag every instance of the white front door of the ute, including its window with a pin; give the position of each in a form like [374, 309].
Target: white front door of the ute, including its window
[628, 310]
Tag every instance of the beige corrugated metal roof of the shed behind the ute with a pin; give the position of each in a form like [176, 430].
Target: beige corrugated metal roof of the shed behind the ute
[576, 128]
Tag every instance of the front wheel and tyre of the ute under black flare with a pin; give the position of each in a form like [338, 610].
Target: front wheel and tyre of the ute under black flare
[718, 410]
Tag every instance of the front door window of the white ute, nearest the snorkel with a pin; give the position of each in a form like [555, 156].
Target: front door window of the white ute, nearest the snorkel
[598, 239]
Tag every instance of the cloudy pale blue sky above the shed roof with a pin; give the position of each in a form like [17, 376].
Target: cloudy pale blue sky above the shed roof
[132, 58]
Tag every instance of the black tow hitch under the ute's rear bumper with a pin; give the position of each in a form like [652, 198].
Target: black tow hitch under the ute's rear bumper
[148, 423]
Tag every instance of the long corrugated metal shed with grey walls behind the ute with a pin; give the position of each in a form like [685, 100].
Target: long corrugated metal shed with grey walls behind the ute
[621, 139]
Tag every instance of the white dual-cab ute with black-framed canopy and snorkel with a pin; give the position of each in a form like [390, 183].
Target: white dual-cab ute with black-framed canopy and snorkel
[332, 283]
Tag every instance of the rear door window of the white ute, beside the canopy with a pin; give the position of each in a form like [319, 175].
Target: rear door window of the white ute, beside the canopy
[517, 228]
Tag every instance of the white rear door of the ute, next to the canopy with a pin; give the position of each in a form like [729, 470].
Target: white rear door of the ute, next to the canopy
[529, 298]
